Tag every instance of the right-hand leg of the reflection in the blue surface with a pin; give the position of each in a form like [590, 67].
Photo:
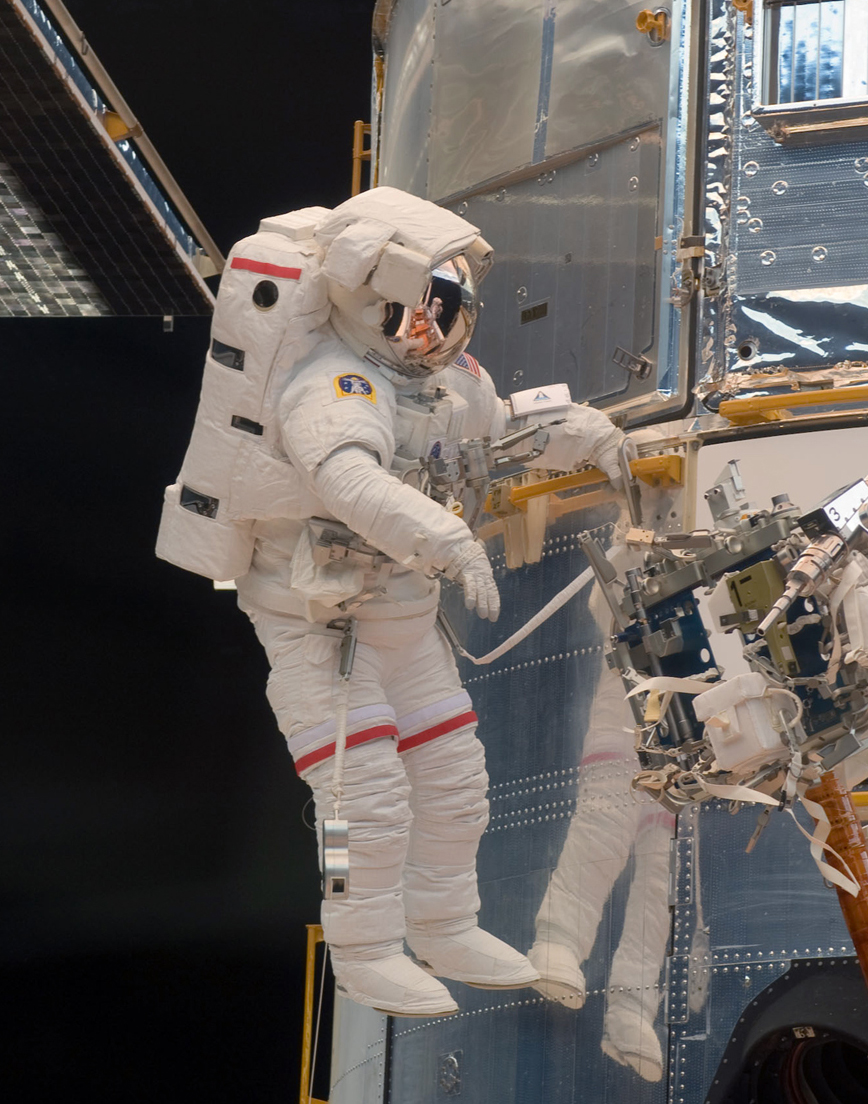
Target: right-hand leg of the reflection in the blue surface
[634, 991]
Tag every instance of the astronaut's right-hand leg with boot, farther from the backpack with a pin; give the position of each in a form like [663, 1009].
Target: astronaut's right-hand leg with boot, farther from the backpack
[446, 765]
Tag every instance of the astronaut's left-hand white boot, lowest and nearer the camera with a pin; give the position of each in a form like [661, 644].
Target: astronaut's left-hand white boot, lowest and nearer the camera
[393, 984]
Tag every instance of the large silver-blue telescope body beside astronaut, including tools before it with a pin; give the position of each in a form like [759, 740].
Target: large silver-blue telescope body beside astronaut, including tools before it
[676, 199]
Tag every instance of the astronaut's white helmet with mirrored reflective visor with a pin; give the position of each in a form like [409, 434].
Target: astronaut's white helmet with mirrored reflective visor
[403, 277]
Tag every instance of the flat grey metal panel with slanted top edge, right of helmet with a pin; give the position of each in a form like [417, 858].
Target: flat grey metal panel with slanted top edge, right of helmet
[579, 246]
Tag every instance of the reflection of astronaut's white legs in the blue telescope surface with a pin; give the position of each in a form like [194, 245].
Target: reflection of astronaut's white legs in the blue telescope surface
[610, 826]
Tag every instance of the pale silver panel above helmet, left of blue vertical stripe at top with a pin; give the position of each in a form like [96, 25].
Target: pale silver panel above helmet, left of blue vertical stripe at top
[484, 124]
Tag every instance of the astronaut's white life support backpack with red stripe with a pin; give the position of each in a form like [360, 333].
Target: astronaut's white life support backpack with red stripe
[273, 298]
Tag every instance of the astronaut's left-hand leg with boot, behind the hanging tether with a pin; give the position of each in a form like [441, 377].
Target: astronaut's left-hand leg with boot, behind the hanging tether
[366, 931]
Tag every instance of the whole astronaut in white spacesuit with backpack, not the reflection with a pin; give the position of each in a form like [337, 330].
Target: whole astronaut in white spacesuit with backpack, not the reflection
[321, 514]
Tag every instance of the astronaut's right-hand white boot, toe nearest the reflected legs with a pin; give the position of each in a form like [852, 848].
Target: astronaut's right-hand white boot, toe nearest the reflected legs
[462, 951]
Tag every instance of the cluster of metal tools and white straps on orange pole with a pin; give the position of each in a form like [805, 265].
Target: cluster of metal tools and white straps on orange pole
[796, 726]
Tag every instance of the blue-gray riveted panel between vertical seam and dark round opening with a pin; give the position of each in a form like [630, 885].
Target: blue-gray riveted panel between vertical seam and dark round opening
[753, 917]
